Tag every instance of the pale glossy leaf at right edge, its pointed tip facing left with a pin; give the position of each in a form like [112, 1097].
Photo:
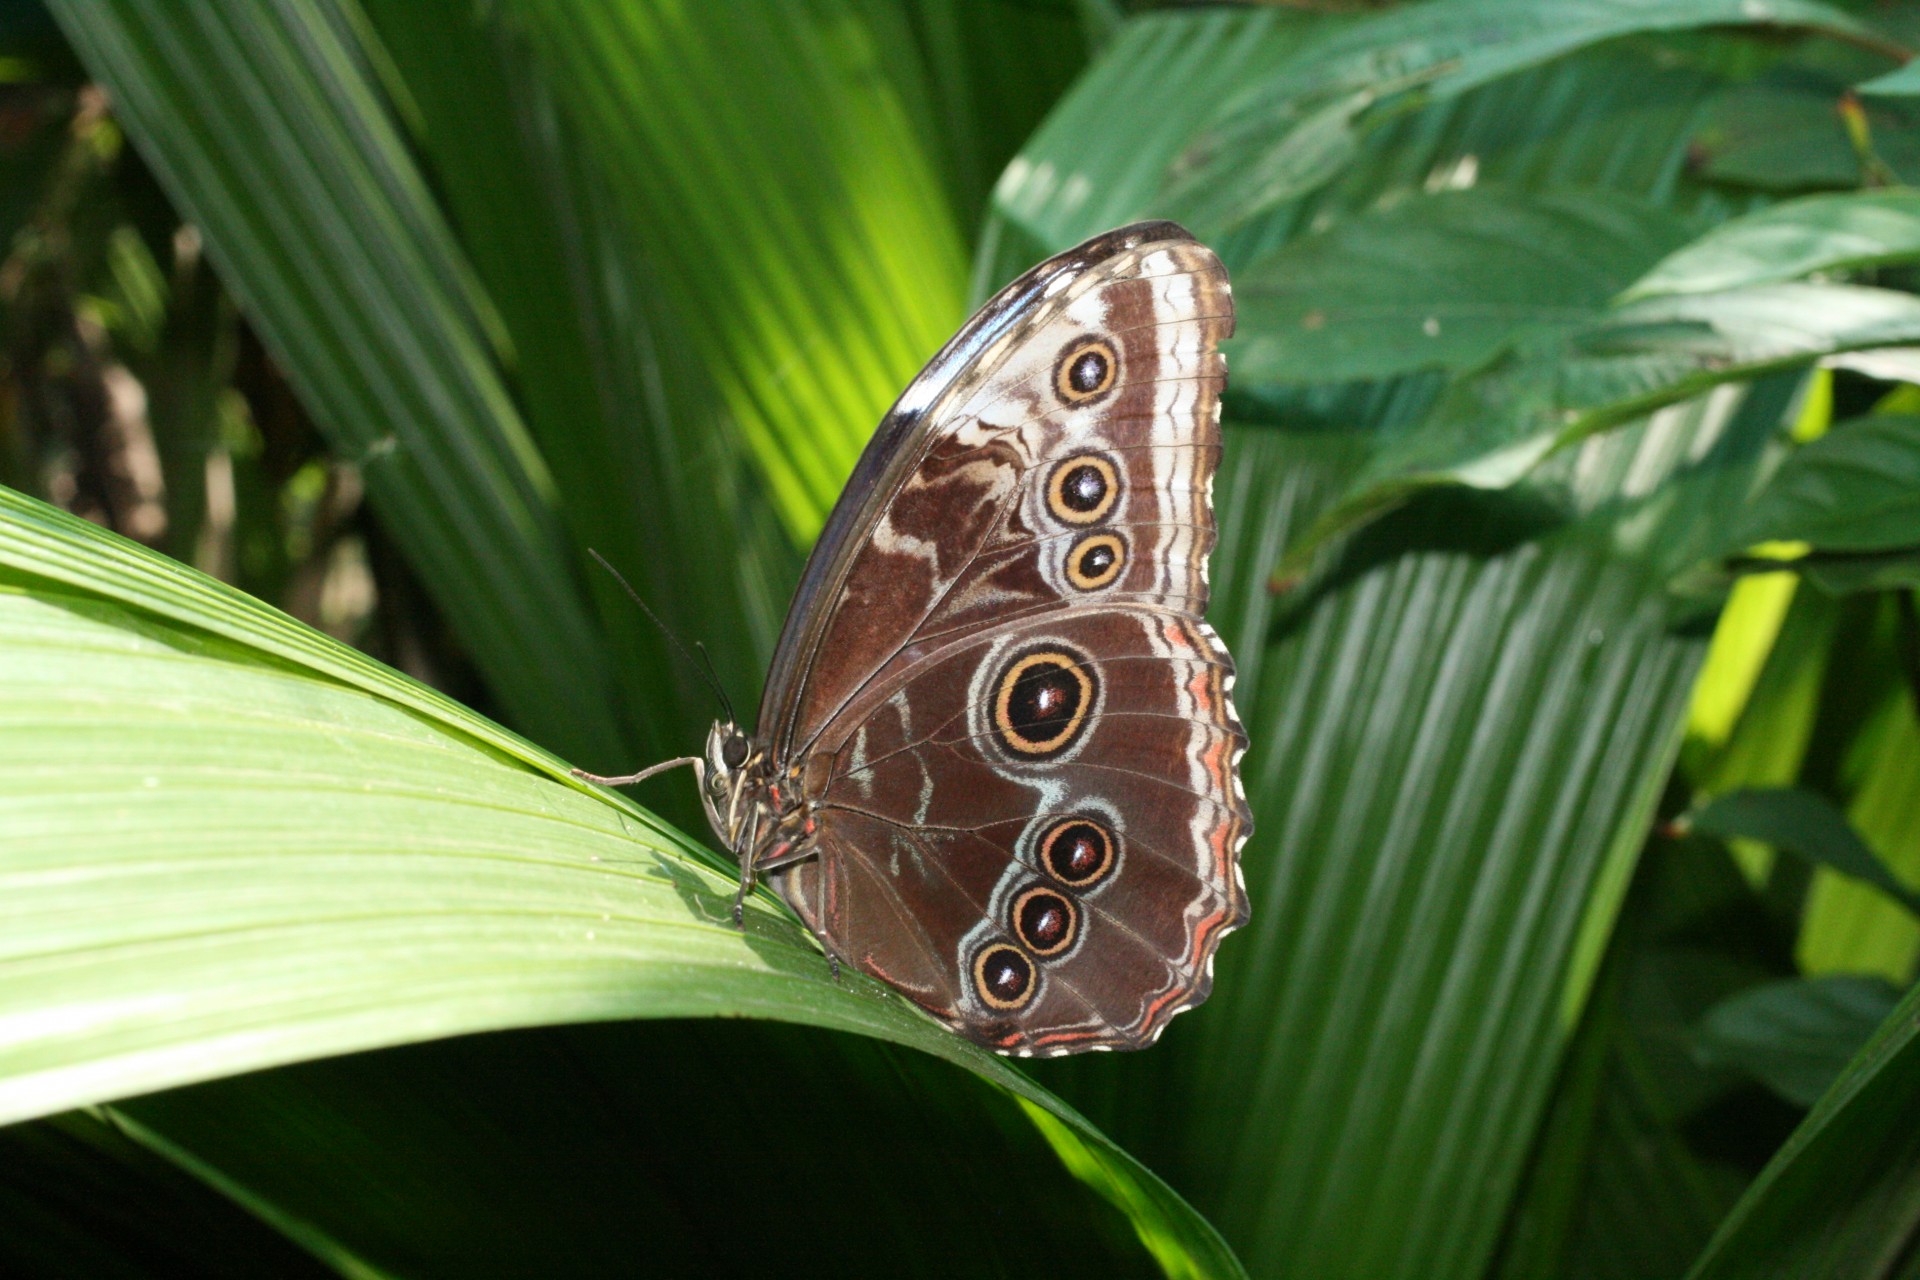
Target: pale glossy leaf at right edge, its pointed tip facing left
[1792, 241]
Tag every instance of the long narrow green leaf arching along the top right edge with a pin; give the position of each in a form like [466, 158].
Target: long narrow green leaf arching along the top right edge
[1301, 128]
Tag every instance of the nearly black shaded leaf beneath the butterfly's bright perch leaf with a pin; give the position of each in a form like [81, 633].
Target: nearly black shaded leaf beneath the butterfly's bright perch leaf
[619, 1149]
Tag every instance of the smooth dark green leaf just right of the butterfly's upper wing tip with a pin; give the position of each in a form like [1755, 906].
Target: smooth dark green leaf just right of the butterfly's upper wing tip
[1443, 281]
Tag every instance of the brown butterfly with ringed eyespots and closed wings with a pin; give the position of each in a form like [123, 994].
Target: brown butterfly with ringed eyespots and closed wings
[997, 757]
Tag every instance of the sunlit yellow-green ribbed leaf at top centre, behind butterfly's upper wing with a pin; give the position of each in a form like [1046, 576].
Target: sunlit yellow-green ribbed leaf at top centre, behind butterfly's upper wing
[788, 212]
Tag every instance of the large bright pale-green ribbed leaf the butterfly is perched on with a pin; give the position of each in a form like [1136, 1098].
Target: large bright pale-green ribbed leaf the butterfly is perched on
[235, 845]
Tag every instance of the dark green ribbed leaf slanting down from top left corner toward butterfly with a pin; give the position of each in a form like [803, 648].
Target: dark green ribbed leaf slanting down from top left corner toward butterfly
[266, 126]
